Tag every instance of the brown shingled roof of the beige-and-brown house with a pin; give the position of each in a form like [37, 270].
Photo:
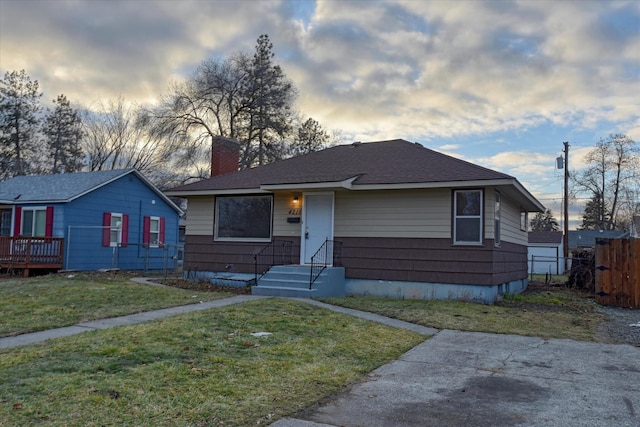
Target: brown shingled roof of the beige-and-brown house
[385, 162]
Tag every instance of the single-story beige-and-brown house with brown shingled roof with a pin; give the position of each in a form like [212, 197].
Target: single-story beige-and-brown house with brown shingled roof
[401, 221]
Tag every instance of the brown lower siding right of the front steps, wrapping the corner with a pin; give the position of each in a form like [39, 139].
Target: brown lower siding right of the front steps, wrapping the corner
[432, 261]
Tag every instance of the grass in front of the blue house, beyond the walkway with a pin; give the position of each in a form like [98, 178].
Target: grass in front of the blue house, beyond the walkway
[57, 300]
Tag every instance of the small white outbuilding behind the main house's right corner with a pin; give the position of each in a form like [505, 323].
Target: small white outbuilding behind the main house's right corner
[546, 252]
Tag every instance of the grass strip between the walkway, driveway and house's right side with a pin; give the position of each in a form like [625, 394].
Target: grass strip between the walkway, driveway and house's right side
[542, 312]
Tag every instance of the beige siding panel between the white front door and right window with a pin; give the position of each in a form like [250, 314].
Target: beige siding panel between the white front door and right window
[398, 213]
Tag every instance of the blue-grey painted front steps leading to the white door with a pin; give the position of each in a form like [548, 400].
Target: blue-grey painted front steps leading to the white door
[293, 281]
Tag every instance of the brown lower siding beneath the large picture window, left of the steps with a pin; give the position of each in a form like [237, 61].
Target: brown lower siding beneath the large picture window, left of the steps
[202, 253]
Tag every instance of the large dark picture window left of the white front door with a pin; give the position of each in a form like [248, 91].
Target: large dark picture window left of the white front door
[243, 218]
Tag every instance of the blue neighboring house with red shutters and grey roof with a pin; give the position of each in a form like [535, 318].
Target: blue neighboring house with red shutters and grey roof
[104, 219]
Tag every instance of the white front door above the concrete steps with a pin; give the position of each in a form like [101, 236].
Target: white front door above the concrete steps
[317, 224]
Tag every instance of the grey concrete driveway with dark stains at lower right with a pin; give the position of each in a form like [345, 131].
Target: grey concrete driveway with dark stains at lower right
[478, 379]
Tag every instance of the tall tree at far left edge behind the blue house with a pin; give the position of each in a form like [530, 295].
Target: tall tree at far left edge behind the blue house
[19, 106]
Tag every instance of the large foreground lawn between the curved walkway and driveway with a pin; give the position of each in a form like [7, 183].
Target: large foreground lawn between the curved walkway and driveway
[195, 369]
